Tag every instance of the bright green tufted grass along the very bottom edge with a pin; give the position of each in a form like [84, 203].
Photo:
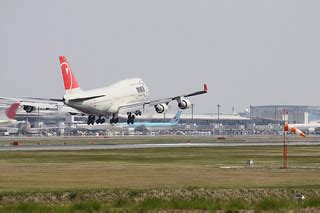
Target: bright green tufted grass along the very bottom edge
[267, 204]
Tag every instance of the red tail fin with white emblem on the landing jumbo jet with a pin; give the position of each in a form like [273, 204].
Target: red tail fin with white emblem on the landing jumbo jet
[70, 83]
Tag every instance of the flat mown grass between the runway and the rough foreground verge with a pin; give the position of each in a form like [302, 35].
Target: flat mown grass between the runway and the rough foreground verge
[166, 167]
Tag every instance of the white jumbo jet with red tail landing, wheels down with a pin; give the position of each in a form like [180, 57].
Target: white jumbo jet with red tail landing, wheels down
[105, 102]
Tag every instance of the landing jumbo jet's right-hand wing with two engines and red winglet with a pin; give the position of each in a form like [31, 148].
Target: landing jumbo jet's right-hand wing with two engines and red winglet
[161, 104]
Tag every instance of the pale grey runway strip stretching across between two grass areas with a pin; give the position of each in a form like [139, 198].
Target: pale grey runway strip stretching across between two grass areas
[75, 147]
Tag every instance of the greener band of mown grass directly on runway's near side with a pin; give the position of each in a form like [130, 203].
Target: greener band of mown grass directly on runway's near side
[263, 156]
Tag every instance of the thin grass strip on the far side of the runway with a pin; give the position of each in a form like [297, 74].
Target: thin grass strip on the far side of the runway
[148, 139]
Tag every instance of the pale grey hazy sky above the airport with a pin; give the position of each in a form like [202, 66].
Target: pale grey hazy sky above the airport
[248, 52]
